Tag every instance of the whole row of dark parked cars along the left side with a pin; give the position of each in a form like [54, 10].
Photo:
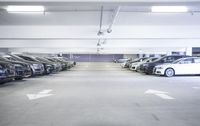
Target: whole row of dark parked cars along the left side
[18, 66]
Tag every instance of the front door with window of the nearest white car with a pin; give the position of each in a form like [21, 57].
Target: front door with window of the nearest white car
[185, 66]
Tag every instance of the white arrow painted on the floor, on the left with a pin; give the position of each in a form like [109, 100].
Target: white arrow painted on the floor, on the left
[42, 94]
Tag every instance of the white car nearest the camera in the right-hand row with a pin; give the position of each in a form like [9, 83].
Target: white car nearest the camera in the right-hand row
[183, 66]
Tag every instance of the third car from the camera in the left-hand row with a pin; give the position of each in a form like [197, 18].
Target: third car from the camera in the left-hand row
[37, 68]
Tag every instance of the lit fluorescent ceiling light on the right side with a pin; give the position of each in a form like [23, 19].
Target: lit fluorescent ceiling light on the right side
[169, 9]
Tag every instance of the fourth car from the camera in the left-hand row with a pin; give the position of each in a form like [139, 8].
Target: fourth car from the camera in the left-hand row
[48, 67]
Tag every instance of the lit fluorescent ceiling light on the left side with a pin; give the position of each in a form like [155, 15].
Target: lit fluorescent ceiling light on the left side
[15, 9]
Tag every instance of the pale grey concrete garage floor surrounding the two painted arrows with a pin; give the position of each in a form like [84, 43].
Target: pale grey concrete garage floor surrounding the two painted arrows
[101, 94]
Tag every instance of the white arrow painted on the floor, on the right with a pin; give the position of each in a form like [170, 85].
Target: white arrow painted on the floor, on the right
[160, 94]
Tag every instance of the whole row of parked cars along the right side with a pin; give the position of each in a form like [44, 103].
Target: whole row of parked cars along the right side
[168, 65]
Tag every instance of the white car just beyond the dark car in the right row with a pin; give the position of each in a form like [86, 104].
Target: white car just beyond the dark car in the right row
[136, 66]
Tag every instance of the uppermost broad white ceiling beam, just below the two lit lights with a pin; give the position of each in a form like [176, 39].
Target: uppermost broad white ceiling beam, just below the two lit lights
[90, 32]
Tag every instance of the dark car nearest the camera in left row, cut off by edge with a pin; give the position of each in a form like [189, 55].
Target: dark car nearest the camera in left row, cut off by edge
[7, 71]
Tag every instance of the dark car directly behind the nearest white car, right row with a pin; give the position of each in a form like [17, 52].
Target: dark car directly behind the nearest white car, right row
[148, 67]
